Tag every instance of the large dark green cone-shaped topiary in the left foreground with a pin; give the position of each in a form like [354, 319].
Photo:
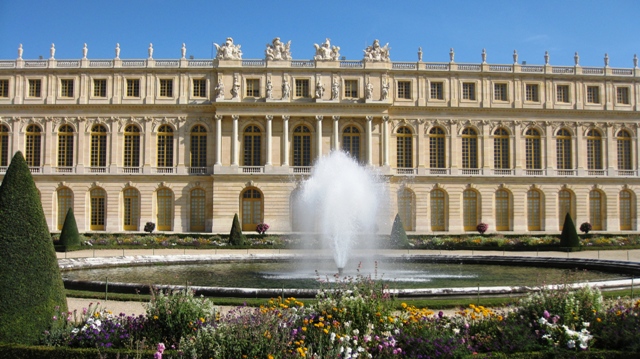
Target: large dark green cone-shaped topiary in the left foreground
[30, 282]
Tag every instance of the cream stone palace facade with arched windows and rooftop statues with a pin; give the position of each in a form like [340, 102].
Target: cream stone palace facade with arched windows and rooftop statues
[187, 143]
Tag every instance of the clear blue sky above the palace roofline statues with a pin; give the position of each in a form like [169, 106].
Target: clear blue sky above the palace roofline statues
[590, 27]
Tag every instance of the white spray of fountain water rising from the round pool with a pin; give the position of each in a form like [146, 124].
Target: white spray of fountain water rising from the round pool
[341, 202]
